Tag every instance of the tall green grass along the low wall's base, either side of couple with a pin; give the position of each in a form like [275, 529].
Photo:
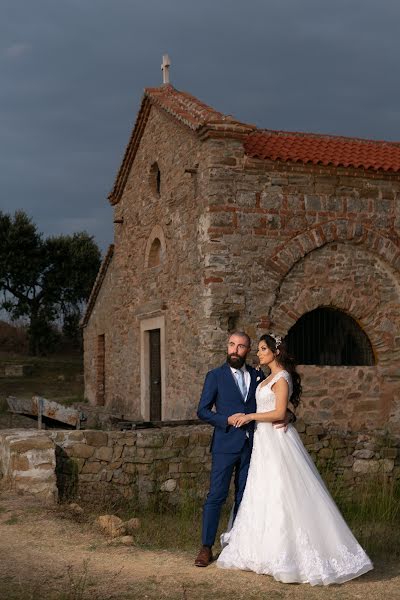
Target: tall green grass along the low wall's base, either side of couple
[372, 511]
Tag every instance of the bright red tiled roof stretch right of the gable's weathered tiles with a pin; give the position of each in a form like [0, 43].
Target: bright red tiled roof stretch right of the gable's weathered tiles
[323, 150]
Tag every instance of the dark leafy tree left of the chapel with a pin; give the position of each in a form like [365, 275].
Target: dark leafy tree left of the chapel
[45, 280]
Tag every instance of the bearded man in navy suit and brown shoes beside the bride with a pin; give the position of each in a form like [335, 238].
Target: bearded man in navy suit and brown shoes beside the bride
[229, 389]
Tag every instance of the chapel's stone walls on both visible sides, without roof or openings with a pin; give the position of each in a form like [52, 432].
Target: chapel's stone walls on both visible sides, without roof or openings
[250, 244]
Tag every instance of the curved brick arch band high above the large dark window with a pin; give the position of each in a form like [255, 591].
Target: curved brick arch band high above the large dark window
[340, 230]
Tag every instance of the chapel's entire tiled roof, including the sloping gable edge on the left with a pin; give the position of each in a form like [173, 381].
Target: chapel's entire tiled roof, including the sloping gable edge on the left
[263, 144]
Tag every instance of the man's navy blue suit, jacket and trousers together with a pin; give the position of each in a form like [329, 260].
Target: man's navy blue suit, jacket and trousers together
[231, 446]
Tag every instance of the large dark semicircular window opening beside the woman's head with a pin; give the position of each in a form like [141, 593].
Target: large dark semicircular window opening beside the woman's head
[327, 336]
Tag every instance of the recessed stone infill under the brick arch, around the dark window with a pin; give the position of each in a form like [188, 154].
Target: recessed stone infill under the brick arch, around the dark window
[353, 278]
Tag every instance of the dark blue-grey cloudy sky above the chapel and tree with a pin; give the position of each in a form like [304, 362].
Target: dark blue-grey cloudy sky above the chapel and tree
[72, 74]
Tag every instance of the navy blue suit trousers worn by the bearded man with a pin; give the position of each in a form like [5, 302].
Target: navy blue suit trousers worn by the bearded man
[222, 468]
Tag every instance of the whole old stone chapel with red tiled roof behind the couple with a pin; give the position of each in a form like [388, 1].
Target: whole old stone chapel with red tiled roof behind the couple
[219, 225]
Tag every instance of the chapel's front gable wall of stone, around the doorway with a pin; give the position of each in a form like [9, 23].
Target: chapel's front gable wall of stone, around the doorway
[172, 290]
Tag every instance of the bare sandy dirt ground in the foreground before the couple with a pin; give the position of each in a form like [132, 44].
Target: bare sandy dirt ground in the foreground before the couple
[47, 554]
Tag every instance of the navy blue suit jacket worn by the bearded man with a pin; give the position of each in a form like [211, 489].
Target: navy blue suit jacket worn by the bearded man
[221, 393]
